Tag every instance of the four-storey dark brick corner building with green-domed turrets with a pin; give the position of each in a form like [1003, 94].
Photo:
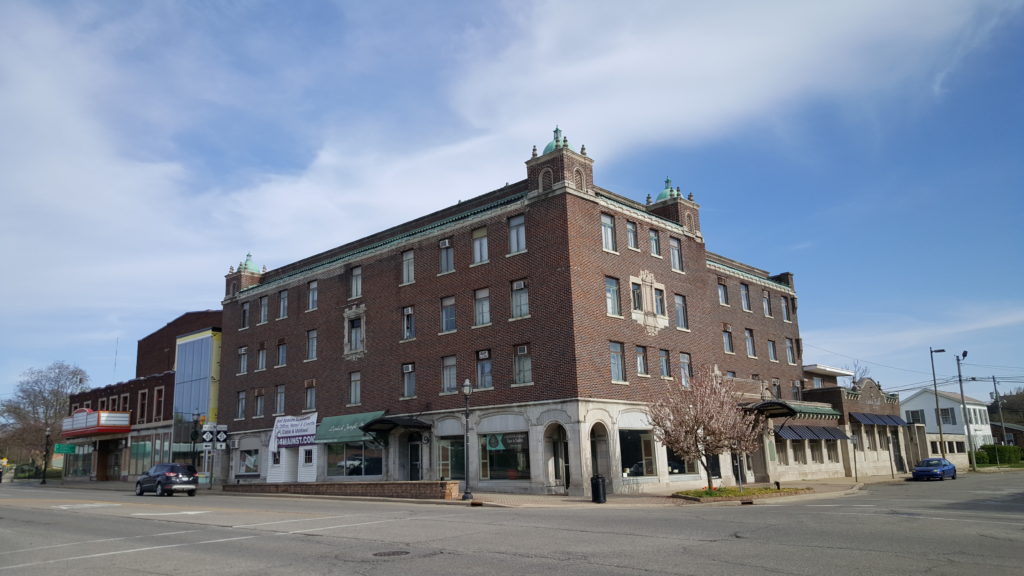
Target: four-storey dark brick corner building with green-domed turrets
[564, 306]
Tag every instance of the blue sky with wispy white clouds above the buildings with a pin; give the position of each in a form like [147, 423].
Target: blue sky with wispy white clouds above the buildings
[873, 149]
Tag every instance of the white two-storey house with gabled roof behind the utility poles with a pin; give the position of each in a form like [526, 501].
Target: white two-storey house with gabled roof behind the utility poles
[952, 440]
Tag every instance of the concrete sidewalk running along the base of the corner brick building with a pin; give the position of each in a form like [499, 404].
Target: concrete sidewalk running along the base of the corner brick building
[821, 488]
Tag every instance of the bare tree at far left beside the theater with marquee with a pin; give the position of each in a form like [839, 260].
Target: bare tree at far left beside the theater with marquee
[40, 402]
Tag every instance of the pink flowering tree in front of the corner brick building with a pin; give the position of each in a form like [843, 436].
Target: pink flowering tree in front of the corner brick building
[705, 420]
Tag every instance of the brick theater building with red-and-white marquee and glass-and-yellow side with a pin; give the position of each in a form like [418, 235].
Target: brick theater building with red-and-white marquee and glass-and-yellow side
[121, 430]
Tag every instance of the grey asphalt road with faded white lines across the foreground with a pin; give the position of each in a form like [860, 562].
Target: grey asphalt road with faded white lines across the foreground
[972, 525]
